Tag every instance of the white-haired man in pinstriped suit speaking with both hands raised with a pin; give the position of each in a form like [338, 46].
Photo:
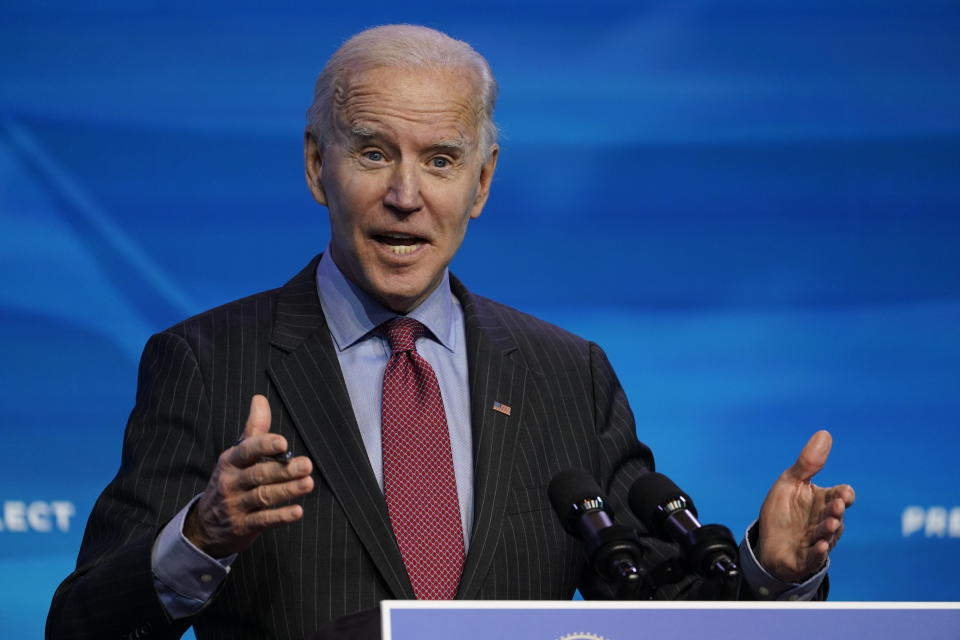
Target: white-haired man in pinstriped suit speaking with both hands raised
[426, 421]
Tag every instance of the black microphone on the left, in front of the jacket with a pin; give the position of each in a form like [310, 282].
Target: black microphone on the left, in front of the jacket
[613, 549]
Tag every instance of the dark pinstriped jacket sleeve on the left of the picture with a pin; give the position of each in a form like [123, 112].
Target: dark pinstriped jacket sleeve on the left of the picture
[165, 462]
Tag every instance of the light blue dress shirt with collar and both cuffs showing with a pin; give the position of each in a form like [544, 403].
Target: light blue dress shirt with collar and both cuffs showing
[186, 578]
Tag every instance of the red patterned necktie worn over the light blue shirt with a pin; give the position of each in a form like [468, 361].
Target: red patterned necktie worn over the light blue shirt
[418, 478]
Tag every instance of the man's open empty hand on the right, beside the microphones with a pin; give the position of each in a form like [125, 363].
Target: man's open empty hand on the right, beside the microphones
[800, 522]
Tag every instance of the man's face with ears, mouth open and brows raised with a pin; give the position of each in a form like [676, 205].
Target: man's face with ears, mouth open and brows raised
[402, 174]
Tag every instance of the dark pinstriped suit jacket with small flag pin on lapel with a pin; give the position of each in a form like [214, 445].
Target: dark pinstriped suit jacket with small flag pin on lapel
[195, 384]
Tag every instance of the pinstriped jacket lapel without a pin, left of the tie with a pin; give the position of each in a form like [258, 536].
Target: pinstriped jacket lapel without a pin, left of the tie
[310, 383]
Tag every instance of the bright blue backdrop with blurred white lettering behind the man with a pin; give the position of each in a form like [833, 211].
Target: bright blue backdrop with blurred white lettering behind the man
[754, 207]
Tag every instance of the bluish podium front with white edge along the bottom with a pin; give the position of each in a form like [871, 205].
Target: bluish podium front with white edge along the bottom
[406, 620]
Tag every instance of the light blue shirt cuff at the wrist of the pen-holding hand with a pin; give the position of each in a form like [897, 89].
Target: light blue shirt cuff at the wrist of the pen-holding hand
[185, 577]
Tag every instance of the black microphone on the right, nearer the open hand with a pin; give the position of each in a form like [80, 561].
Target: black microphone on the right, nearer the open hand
[668, 513]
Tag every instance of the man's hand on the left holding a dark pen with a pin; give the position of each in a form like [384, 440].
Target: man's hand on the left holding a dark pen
[240, 500]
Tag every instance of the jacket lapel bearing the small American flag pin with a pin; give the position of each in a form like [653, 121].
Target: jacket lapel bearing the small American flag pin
[495, 376]
